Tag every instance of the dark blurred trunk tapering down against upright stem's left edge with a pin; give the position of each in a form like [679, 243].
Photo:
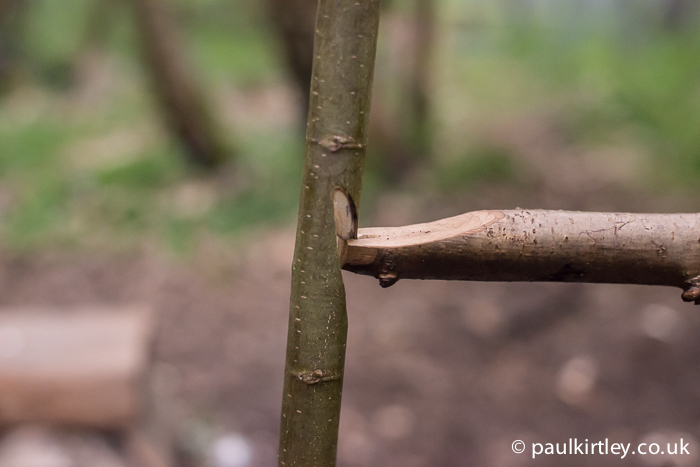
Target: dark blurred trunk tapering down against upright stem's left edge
[294, 22]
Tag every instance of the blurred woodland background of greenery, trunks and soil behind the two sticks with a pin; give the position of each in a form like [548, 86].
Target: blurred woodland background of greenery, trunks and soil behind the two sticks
[151, 153]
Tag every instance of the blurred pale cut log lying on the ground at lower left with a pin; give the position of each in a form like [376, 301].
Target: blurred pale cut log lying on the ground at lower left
[83, 368]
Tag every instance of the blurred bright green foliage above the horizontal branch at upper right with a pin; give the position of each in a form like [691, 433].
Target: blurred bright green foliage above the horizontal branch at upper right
[611, 73]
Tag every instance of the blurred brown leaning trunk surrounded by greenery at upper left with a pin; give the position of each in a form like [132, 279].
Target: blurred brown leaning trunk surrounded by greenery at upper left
[188, 115]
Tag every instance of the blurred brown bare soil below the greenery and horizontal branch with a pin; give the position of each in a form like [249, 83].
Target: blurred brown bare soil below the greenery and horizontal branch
[438, 374]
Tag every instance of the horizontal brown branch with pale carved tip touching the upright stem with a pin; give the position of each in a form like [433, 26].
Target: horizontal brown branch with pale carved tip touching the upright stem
[537, 245]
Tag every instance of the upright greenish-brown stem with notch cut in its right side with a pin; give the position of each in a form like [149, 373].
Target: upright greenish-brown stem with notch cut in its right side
[344, 54]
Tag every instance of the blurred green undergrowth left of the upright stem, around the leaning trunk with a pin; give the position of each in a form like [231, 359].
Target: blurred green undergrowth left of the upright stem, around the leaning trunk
[64, 181]
